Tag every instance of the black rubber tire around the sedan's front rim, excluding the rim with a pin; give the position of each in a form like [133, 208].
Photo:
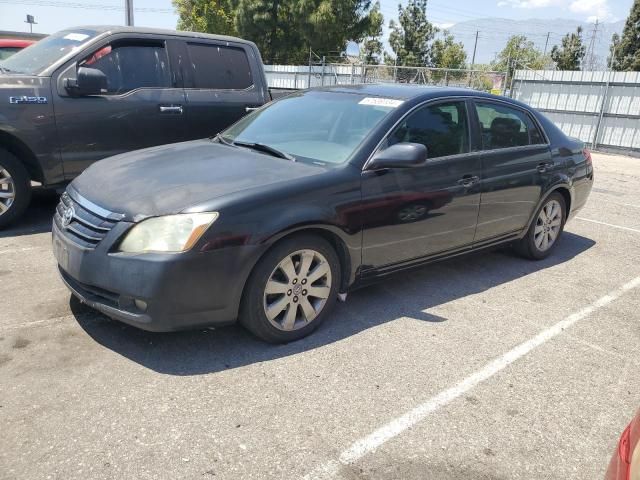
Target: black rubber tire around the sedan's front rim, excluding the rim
[252, 309]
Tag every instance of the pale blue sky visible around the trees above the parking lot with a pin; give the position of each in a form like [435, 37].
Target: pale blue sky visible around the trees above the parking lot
[53, 15]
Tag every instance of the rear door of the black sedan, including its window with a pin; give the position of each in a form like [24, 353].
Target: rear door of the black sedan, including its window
[516, 164]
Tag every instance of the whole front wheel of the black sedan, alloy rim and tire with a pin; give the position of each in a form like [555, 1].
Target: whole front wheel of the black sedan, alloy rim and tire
[292, 289]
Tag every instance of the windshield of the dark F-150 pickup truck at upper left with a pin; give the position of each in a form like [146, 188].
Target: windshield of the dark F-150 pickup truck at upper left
[37, 57]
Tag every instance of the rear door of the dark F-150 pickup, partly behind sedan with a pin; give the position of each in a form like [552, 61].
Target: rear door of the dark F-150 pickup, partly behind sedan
[220, 85]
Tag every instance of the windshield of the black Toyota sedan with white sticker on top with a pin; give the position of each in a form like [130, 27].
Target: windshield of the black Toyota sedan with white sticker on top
[317, 126]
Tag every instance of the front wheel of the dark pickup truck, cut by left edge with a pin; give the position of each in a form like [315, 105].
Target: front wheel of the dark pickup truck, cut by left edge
[15, 188]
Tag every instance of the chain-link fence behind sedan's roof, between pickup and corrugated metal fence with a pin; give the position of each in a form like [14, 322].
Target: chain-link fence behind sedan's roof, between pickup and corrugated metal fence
[322, 74]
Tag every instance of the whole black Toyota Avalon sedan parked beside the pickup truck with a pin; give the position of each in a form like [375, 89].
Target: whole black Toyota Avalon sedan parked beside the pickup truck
[322, 191]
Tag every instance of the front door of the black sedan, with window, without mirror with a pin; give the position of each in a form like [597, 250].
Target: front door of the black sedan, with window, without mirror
[411, 213]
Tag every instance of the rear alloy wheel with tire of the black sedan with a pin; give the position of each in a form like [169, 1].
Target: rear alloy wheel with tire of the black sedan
[545, 231]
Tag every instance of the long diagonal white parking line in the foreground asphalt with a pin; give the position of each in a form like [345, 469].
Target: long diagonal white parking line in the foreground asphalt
[371, 442]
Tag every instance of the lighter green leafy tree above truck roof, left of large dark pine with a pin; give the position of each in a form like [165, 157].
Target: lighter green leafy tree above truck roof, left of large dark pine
[210, 16]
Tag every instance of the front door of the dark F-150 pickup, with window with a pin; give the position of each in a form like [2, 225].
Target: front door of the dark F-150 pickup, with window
[142, 107]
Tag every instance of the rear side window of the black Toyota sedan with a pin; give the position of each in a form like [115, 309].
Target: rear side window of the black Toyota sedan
[505, 127]
